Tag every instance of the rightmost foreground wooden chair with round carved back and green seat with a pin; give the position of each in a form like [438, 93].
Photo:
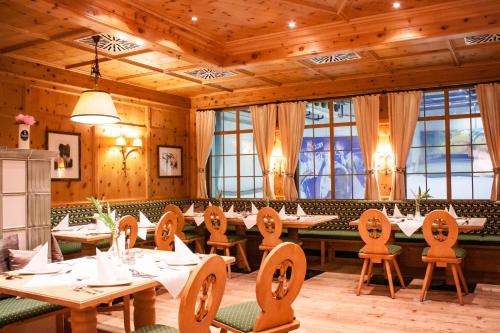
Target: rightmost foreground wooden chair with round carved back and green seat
[273, 312]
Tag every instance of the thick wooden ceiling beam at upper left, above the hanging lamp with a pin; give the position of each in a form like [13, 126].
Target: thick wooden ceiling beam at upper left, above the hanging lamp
[114, 16]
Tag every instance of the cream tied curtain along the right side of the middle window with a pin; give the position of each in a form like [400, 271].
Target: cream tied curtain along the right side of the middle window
[367, 109]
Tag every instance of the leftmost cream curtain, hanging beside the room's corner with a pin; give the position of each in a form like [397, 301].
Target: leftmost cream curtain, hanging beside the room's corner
[205, 126]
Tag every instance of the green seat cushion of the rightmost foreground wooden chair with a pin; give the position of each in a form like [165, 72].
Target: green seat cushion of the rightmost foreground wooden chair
[239, 316]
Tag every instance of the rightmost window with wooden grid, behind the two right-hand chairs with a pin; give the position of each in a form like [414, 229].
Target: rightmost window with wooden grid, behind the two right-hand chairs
[449, 153]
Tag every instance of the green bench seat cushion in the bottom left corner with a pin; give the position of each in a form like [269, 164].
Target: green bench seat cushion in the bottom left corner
[13, 310]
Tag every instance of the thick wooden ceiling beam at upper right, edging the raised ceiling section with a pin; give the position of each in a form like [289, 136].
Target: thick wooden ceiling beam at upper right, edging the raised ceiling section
[412, 26]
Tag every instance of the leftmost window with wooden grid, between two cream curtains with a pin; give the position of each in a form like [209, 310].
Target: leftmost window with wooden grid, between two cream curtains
[234, 165]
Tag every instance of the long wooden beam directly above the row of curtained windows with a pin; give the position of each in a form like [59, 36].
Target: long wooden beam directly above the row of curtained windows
[424, 77]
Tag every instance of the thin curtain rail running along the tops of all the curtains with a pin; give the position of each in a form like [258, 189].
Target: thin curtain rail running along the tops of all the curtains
[383, 91]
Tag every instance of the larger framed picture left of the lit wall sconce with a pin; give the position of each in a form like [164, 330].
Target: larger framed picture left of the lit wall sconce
[67, 165]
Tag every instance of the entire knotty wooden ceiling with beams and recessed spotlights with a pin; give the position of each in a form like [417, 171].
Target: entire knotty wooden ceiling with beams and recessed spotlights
[249, 39]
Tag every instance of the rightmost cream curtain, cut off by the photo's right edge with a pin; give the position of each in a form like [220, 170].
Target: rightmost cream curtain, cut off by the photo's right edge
[488, 97]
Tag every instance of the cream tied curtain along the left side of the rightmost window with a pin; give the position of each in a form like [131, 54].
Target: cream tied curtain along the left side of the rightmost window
[403, 117]
